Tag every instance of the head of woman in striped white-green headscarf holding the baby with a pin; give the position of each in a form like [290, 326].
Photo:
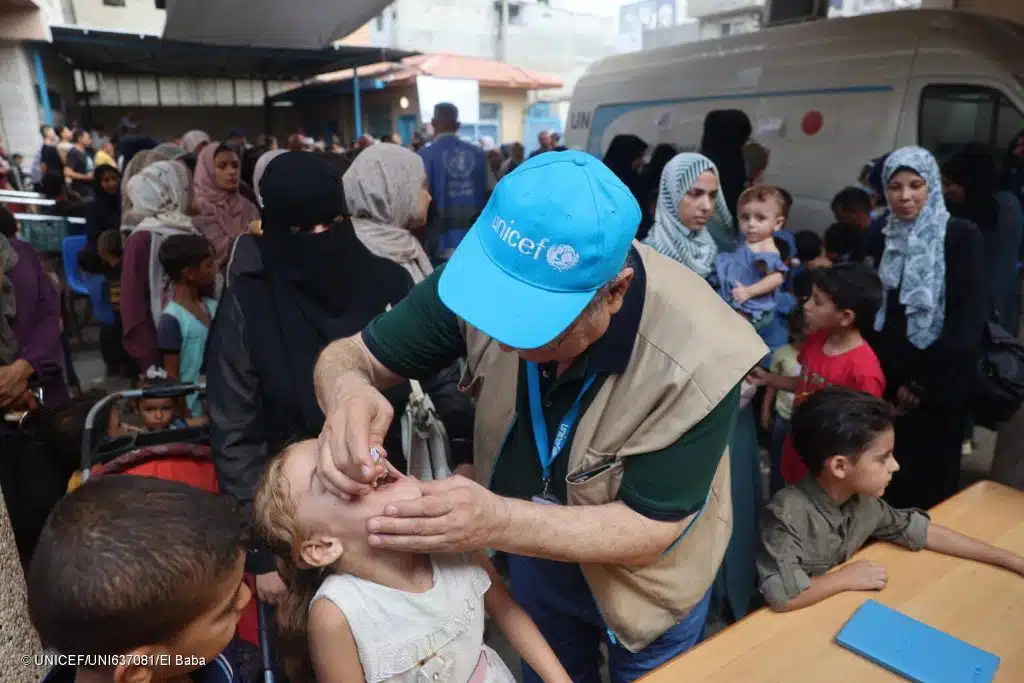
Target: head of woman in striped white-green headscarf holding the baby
[691, 214]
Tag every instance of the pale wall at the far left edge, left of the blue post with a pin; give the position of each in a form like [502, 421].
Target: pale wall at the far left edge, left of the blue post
[19, 110]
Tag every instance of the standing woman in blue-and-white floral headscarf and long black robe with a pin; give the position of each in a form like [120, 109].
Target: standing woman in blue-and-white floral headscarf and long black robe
[929, 329]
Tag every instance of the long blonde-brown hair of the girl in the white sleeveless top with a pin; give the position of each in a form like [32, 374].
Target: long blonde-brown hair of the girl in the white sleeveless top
[276, 515]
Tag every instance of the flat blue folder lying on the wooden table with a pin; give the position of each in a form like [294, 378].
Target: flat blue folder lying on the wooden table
[913, 650]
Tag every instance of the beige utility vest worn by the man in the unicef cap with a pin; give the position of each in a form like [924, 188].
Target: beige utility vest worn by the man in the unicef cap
[692, 350]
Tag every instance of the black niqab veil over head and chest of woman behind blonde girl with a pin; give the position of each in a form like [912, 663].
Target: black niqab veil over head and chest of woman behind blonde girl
[323, 283]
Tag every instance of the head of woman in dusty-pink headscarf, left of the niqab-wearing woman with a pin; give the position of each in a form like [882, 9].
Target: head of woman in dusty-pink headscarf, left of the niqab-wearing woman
[225, 215]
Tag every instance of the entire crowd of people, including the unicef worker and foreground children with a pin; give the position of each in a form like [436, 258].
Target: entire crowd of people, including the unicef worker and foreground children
[607, 343]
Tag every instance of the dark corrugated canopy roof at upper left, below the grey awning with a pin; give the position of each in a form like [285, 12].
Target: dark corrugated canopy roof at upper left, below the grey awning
[115, 53]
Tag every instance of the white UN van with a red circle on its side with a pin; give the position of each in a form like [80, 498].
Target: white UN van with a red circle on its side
[825, 98]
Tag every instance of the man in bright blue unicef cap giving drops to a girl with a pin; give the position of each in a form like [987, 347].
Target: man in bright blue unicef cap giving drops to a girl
[607, 378]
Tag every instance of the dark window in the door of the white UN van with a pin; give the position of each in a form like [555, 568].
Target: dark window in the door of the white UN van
[955, 115]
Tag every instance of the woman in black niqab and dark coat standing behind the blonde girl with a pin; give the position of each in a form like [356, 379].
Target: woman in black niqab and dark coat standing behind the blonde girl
[313, 283]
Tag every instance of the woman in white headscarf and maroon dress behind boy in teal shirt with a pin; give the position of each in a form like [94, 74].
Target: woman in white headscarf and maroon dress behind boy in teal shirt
[159, 195]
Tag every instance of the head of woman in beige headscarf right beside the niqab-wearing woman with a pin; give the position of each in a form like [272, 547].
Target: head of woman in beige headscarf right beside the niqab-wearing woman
[387, 193]
